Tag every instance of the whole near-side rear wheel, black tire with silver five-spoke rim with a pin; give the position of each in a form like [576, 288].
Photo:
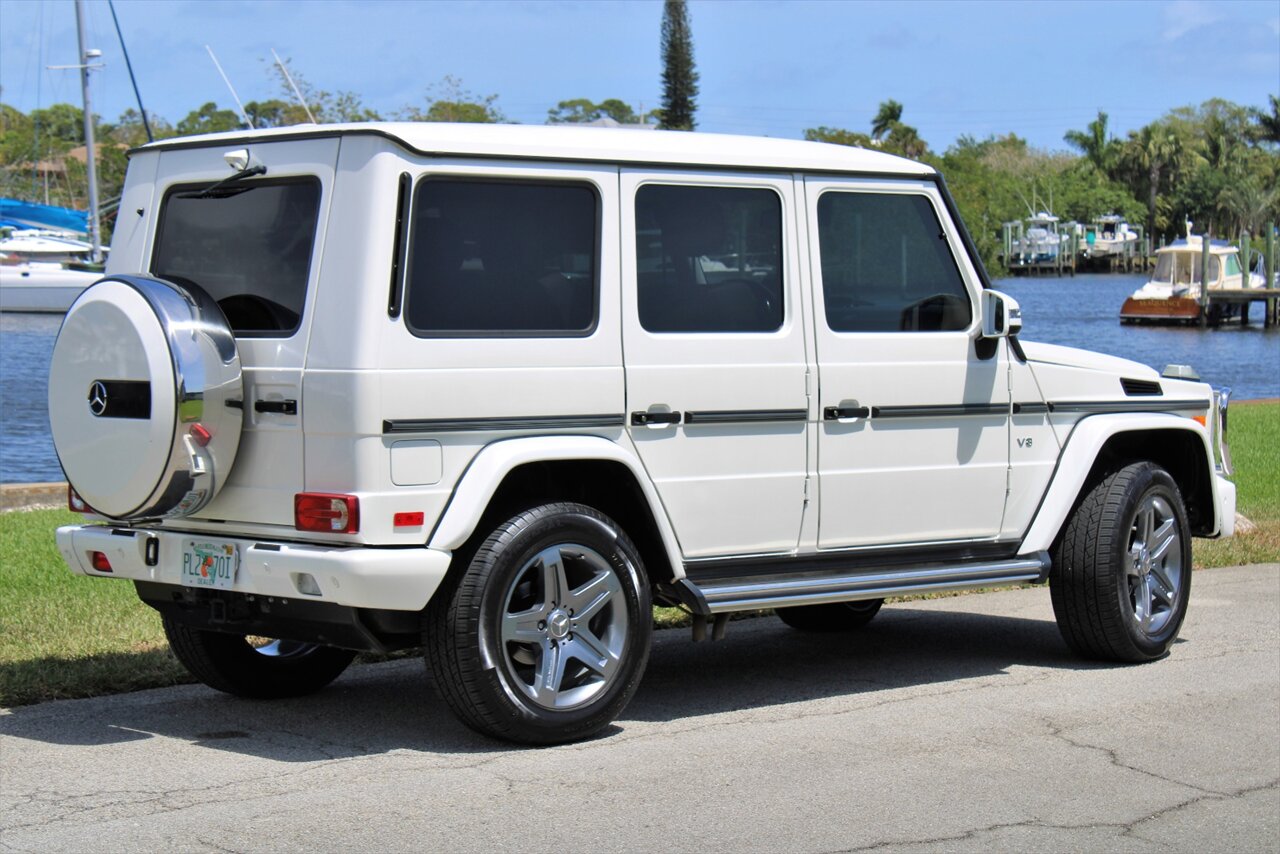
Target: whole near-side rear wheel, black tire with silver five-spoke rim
[510, 584]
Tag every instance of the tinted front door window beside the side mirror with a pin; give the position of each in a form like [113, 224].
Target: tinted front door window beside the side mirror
[886, 266]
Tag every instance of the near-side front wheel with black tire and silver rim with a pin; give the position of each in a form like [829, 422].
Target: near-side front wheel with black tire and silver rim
[1116, 597]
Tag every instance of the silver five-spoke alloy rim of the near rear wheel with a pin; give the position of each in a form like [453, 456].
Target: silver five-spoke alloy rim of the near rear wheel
[564, 628]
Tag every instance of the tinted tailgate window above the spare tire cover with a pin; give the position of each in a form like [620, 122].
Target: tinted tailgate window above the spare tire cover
[249, 246]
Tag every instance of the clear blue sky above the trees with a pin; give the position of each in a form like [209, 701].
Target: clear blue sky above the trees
[770, 68]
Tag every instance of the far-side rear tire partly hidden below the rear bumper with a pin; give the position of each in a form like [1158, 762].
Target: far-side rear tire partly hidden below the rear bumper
[231, 664]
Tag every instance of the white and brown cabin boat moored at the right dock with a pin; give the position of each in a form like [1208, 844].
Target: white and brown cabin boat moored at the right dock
[1173, 294]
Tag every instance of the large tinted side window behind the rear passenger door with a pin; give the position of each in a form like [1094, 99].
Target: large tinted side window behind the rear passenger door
[492, 259]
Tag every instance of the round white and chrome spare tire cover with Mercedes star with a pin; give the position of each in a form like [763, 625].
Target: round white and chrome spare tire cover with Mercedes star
[145, 398]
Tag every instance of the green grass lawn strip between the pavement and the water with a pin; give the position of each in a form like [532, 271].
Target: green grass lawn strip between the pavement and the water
[66, 636]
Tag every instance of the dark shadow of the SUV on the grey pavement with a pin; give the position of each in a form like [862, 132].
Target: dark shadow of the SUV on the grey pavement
[390, 707]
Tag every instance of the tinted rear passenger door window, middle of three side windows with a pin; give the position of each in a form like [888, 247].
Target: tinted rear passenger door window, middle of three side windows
[708, 259]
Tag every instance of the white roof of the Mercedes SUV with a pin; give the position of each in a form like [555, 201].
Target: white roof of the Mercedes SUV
[577, 144]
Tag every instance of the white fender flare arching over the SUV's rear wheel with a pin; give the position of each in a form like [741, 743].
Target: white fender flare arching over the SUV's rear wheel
[496, 462]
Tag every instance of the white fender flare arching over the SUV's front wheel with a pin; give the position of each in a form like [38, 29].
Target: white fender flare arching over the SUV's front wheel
[1082, 449]
